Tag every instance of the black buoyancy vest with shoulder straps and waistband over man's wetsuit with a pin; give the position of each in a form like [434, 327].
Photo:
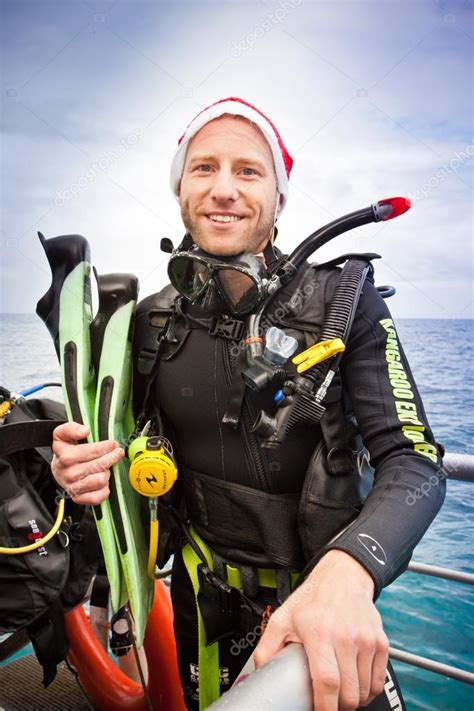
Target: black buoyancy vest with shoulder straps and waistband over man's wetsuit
[241, 523]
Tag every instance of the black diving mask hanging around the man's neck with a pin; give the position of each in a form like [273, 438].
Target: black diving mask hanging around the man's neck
[236, 284]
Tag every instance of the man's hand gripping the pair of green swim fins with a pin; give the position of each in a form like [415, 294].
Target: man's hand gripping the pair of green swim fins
[83, 470]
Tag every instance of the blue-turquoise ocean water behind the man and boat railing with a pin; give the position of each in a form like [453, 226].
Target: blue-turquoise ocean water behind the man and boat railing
[423, 615]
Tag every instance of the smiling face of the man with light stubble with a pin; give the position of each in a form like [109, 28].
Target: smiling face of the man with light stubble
[229, 171]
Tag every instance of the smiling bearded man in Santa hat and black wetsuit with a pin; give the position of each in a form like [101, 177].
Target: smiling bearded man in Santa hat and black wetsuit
[230, 175]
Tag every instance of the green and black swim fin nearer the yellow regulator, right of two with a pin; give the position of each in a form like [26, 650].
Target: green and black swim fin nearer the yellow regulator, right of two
[112, 420]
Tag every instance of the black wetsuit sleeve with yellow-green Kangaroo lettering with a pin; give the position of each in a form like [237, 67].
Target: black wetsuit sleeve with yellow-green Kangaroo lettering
[409, 487]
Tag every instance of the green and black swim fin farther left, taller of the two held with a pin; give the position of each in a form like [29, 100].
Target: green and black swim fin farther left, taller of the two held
[66, 310]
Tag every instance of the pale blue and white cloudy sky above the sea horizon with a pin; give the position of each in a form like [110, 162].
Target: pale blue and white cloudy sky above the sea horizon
[372, 99]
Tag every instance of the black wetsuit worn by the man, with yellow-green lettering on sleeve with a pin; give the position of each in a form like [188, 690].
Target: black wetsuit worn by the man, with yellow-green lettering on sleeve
[193, 392]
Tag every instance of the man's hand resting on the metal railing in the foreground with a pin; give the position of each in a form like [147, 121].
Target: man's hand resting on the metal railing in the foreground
[332, 614]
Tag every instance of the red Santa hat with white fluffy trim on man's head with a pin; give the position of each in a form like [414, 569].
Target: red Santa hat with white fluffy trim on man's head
[235, 106]
